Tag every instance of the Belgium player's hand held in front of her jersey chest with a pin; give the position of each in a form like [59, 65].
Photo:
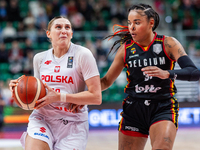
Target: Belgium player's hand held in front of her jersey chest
[155, 72]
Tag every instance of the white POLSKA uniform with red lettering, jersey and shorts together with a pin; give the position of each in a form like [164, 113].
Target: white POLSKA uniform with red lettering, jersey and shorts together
[53, 123]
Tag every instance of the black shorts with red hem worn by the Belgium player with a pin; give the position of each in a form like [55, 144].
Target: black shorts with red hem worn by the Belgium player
[139, 114]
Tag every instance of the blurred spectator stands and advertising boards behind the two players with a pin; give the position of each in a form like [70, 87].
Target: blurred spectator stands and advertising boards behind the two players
[22, 35]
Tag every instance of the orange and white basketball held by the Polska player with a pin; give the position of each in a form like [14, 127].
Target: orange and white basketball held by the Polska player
[28, 90]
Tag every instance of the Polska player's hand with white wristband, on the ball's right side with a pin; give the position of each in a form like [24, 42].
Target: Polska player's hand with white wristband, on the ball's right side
[52, 96]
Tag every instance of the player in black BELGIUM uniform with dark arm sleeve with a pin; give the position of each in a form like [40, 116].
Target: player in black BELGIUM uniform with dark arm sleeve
[150, 107]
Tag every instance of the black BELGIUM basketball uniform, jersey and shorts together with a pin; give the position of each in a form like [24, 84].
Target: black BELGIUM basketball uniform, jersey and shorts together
[150, 99]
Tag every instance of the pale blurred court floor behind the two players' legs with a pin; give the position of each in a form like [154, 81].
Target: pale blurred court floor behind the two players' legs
[187, 139]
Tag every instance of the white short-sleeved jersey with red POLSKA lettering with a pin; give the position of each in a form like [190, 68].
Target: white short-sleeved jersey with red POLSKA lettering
[65, 75]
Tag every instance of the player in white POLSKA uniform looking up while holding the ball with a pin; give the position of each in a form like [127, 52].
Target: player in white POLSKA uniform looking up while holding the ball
[66, 69]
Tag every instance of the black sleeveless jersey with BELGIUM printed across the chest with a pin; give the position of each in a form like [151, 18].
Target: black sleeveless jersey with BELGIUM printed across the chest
[141, 85]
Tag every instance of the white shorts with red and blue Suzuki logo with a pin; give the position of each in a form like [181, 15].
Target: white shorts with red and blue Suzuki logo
[60, 134]
